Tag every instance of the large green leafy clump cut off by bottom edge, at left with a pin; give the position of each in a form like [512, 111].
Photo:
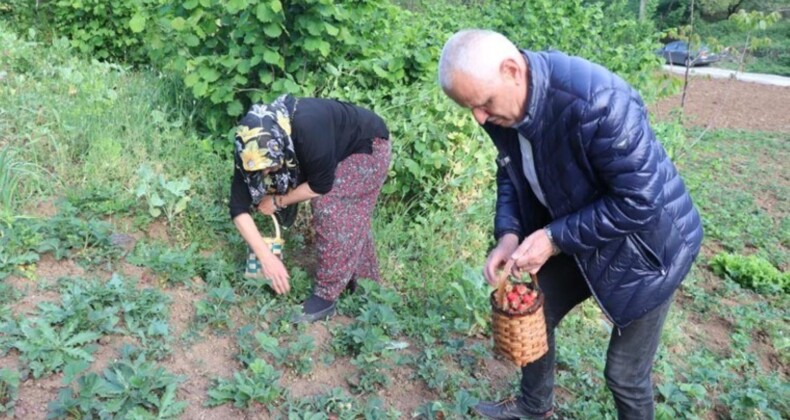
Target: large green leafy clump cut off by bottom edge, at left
[131, 387]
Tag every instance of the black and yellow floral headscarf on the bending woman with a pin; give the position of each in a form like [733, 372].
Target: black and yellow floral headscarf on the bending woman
[263, 141]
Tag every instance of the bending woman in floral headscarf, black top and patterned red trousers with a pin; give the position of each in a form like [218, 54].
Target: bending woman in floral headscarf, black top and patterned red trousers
[332, 153]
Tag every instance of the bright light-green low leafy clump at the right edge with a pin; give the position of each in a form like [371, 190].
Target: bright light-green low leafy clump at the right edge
[752, 272]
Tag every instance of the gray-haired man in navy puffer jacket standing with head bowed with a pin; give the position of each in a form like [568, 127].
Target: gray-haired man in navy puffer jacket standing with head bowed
[585, 195]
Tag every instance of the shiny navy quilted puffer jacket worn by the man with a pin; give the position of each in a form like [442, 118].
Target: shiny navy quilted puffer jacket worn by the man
[615, 201]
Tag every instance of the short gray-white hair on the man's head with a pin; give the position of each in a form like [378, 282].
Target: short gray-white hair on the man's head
[476, 52]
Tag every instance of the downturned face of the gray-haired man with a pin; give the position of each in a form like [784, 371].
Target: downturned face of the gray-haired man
[499, 101]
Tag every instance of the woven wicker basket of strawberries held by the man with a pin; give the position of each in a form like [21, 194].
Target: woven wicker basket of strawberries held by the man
[520, 338]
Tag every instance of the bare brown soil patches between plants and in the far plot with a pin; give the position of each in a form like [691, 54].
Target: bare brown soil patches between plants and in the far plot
[709, 103]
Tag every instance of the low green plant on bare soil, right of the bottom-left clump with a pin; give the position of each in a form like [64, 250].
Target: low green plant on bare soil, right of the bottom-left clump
[257, 383]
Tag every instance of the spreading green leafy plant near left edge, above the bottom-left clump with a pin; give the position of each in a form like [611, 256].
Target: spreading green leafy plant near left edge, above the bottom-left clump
[46, 348]
